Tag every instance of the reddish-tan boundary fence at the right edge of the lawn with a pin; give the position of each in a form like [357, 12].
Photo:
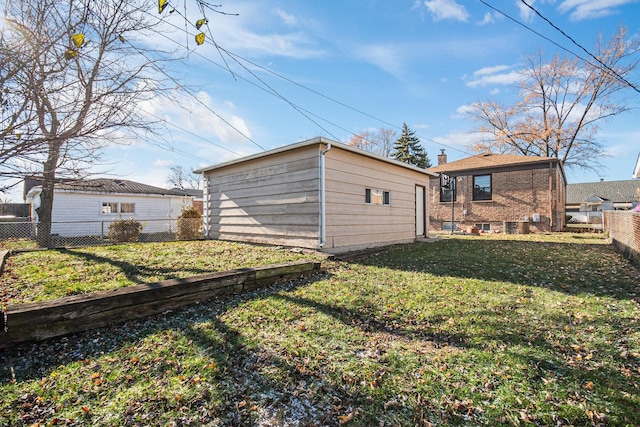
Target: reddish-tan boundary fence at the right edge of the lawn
[623, 228]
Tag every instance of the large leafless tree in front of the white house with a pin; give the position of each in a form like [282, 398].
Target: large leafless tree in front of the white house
[76, 73]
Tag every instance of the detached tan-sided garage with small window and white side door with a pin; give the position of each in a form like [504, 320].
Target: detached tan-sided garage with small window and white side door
[316, 194]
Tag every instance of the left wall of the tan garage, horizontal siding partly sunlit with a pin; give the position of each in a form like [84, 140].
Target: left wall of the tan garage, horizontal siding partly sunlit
[272, 199]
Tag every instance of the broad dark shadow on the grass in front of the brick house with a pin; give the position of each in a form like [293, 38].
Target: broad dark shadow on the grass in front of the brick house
[570, 268]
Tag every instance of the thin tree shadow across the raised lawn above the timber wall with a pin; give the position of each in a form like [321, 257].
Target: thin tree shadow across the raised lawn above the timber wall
[136, 273]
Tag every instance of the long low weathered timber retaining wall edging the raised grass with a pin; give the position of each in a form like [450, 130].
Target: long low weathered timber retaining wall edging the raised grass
[47, 319]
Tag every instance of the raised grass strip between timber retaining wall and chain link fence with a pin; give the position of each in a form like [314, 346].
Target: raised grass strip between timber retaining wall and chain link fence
[39, 275]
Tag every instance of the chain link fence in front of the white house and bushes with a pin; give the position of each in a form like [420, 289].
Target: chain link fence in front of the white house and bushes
[22, 233]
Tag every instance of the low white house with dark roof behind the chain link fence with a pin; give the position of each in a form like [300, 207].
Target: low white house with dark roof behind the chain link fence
[87, 207]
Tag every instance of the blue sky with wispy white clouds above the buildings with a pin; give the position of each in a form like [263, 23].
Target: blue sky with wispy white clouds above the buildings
[338, 68]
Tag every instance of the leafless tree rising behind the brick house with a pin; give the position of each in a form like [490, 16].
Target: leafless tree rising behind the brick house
[562, 103]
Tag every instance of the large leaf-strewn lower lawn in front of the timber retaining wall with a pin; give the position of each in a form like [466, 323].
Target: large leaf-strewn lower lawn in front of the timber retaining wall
[536, 330]
